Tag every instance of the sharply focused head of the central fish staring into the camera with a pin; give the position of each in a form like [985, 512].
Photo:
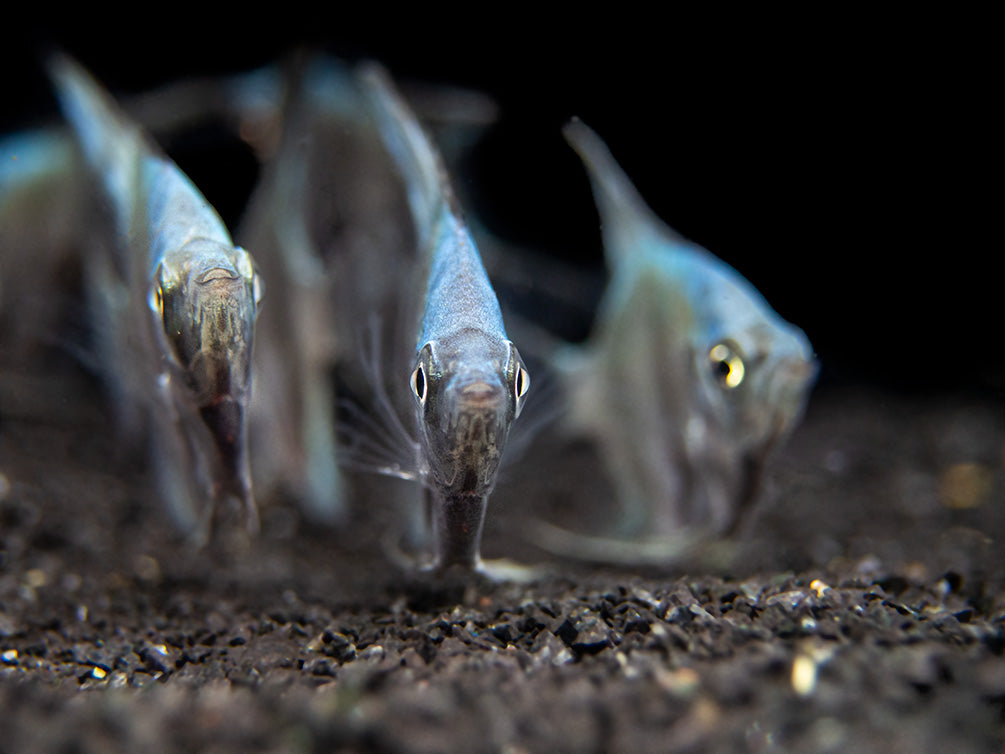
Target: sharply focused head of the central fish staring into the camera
[469, 390]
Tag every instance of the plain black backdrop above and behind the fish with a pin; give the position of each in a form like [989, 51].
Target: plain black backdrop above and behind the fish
[845, 165]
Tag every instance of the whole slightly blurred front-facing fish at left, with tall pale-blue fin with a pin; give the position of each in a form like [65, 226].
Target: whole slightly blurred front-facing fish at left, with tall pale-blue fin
[175, 309]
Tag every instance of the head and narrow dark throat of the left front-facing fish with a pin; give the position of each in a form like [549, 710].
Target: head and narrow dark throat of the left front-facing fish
[208, 304]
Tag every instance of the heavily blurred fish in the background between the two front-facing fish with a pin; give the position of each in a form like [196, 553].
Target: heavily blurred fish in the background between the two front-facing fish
[327, 223]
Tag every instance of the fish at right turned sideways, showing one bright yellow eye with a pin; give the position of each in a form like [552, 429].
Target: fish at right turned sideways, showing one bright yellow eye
[690, 380]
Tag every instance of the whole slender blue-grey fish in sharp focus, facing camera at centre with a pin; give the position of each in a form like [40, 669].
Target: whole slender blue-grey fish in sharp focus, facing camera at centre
[469, 381]
